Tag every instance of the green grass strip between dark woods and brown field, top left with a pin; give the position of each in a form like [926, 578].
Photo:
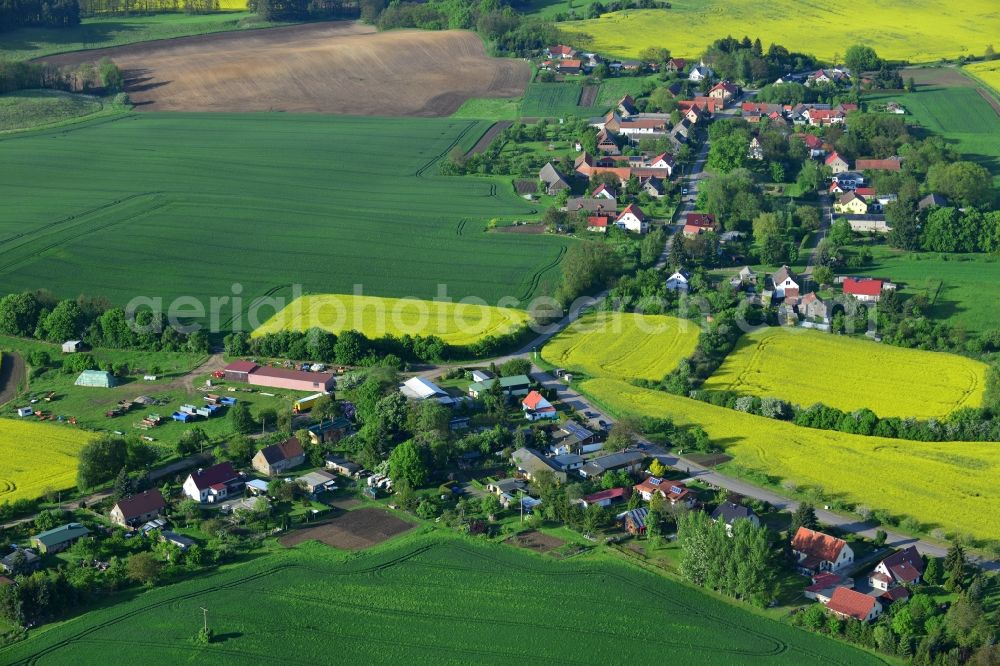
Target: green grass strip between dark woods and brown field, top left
[99, 33]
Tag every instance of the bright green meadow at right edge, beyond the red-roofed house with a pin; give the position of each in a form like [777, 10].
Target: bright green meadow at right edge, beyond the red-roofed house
[962, 287]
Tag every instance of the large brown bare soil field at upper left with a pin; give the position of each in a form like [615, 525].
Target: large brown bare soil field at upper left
[342, 67]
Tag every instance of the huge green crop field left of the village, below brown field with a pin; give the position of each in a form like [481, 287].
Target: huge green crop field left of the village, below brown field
[171, 204]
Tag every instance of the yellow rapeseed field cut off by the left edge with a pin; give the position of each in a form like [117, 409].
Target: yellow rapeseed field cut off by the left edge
[35, 457]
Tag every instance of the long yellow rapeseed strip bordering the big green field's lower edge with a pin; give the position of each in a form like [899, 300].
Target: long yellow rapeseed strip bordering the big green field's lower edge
[455, 323]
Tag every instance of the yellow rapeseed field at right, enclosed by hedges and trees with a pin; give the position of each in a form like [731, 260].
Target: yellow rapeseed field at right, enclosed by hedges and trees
[805, 367]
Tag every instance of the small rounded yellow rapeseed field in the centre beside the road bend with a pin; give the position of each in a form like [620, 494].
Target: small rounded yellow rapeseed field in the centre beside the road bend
[623, 345]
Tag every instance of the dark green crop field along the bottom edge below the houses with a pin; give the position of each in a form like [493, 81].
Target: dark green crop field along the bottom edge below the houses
[438, 598]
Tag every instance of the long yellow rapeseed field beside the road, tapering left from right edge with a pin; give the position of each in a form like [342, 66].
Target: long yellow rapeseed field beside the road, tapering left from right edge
[948, 484]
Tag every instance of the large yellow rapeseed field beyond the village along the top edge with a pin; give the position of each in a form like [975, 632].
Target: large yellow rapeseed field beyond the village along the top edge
[918, 32]
